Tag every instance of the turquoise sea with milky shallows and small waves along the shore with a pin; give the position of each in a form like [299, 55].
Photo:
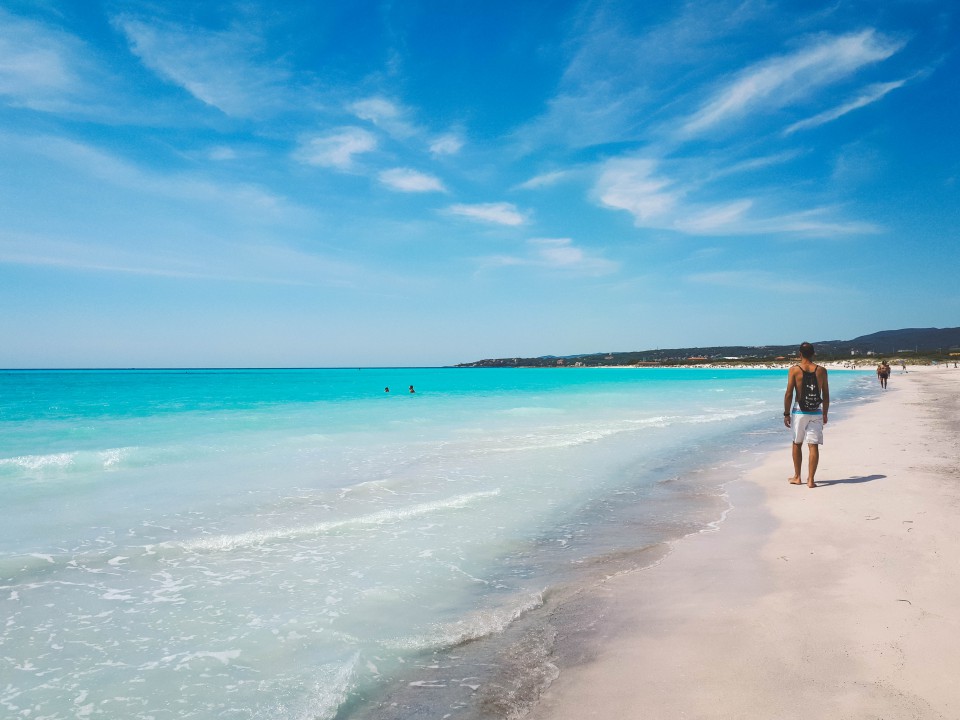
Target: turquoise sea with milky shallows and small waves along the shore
[294, 544]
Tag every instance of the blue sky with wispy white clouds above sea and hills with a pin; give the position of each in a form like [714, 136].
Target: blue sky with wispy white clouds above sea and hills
[424, 183]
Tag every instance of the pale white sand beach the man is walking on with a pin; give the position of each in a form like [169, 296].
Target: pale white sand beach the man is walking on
[841, 601]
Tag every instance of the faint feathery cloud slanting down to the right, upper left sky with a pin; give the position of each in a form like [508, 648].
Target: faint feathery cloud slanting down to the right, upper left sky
[223, 69]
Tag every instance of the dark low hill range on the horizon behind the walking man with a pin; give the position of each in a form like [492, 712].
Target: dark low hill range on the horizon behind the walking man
[885, 342]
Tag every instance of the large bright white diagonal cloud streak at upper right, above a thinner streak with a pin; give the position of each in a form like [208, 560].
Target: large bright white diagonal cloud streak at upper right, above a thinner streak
[785, 80]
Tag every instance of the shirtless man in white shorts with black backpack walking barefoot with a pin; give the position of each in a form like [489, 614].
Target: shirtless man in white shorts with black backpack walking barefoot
[808, 382]
